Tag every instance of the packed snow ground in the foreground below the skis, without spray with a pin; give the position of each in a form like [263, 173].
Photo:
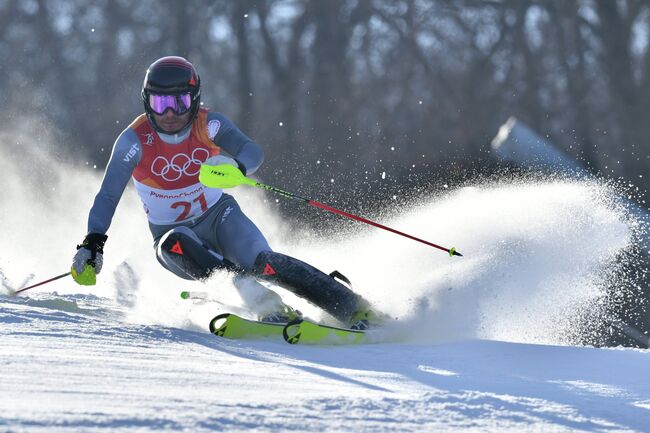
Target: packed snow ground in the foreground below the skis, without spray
[73, 364]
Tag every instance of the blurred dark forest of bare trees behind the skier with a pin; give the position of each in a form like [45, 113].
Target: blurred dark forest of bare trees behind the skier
[372, 94]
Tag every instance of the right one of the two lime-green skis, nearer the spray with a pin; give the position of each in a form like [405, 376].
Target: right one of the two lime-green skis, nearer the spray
[306, 332]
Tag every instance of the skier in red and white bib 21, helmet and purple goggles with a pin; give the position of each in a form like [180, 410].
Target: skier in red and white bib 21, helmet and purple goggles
[197, 230]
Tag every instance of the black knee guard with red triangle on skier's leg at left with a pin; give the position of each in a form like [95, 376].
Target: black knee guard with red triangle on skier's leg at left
[181, 251]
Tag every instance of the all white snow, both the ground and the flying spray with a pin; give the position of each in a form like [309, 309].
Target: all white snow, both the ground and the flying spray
[485, 341]
